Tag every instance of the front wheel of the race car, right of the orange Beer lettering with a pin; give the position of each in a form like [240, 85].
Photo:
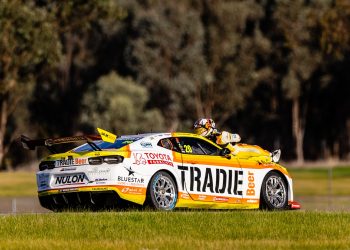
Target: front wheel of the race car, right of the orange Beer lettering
[274, 192]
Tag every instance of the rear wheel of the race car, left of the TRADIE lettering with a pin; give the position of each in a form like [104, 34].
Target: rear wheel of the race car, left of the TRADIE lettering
[162, 191]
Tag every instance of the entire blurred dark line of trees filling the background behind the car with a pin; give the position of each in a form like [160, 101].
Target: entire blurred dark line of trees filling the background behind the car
[274, 71]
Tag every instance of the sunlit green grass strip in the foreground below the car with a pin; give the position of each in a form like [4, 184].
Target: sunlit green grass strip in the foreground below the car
[177, 230]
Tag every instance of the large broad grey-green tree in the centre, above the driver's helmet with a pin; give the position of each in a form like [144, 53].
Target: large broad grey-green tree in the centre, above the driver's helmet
[198, 58]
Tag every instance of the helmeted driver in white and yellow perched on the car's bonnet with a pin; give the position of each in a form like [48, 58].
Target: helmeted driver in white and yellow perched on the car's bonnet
[206, 127]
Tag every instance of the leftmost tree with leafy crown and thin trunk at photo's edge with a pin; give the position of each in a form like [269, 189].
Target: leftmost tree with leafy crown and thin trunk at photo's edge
[28, 42]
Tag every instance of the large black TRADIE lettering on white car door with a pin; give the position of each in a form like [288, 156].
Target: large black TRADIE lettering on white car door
[211, 180]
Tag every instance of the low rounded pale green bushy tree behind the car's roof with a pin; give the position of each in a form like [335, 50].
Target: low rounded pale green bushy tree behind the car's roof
[118, 104]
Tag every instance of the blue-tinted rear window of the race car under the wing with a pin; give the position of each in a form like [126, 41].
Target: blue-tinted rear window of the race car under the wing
[119, 143]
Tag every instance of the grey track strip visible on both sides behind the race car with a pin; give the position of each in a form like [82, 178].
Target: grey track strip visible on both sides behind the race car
[30, 205]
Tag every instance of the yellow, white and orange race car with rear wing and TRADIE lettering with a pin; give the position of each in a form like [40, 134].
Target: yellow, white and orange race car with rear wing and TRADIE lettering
[163, 170]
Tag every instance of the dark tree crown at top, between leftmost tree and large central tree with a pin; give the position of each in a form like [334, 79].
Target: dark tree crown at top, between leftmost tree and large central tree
[79, 24]
